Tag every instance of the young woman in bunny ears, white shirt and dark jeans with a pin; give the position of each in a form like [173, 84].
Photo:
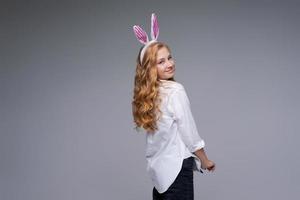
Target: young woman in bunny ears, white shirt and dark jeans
[161, 109]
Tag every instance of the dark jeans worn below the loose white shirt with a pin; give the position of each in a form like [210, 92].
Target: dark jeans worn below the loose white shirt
[183, 186]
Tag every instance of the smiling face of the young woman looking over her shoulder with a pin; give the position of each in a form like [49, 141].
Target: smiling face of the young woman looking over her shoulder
[165, 64]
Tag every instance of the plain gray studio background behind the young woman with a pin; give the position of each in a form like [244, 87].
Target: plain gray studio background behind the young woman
[67, 72]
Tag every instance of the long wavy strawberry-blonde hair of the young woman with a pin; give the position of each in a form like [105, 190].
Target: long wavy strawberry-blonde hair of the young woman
[146, 96]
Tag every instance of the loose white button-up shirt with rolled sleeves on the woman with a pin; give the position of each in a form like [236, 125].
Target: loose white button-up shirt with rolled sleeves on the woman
[176, 138]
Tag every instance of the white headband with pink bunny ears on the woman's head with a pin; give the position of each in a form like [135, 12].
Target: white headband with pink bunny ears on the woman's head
[142, 36]
